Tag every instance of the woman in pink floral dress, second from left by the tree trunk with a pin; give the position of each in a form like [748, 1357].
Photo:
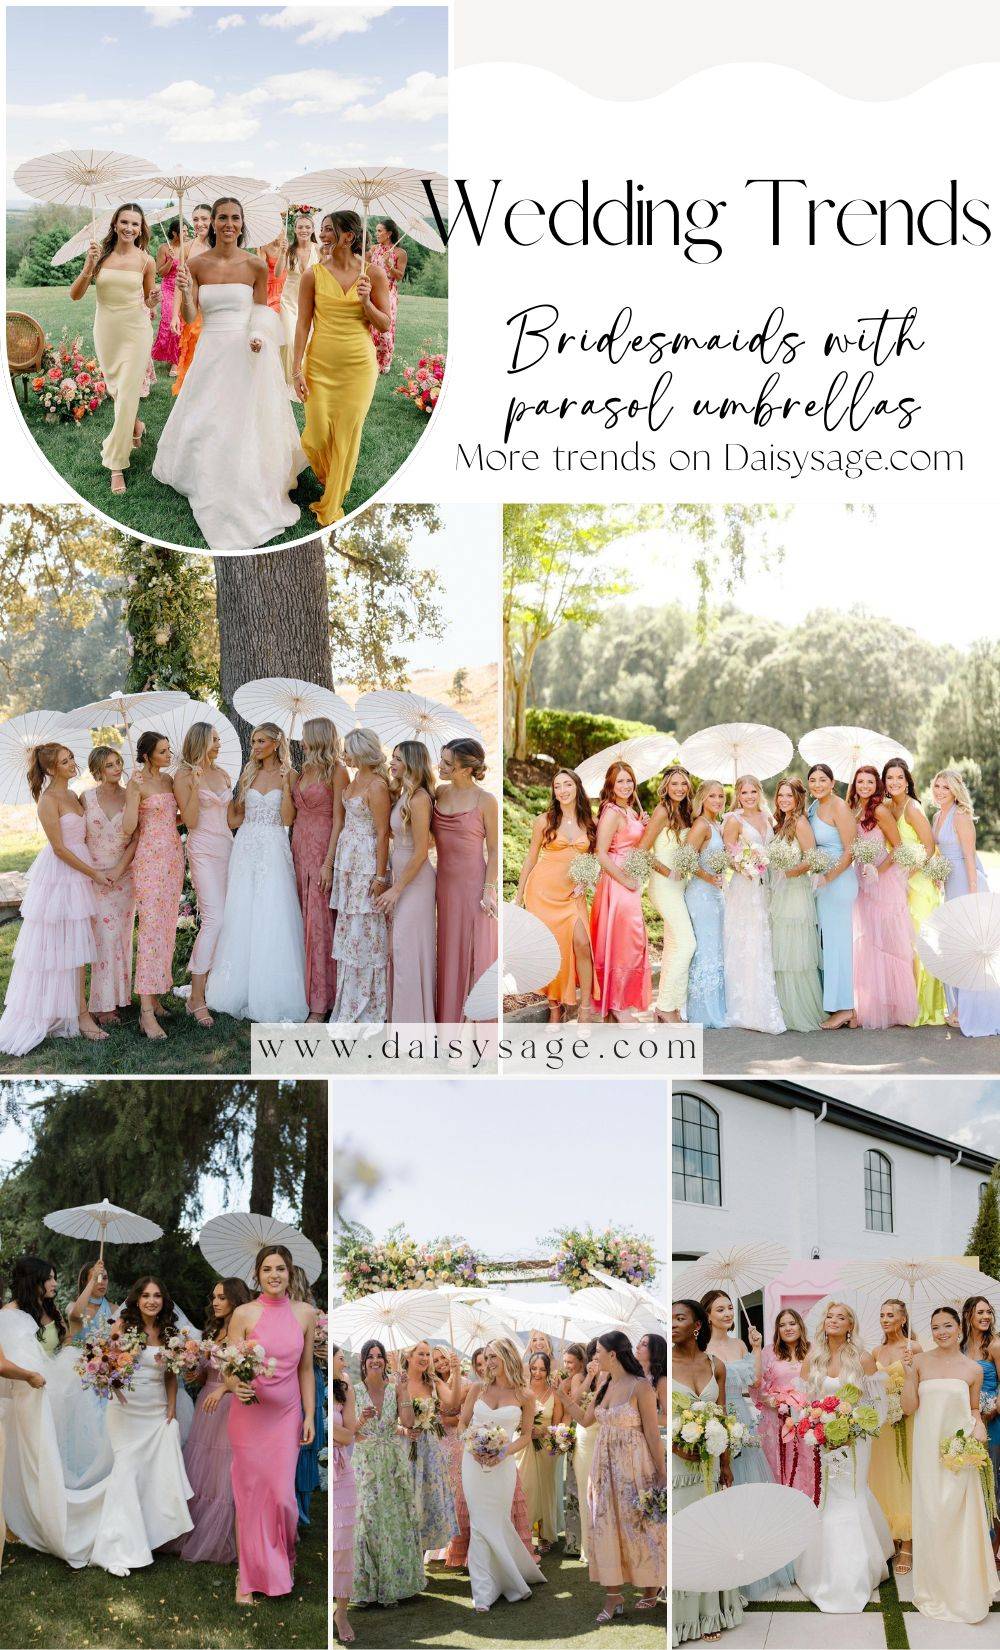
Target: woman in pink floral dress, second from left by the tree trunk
[105, 809]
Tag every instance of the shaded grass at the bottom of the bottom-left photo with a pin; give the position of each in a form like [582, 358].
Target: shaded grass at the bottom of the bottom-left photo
[171, 1605]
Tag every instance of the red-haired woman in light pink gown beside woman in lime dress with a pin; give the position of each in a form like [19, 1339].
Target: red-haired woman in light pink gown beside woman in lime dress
[885, 983]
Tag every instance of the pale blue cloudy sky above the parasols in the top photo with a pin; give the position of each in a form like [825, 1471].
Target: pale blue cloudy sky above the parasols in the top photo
[258, 92]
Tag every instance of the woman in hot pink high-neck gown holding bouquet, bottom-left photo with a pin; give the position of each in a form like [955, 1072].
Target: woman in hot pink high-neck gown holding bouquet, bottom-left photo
[267, 1435]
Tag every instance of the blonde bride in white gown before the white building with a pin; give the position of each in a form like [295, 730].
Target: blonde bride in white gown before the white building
[847, 1557]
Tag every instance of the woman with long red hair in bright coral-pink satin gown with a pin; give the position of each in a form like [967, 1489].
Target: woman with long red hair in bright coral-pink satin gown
[623, 978]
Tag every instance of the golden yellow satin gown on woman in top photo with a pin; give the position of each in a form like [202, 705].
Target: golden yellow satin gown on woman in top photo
[341, 372]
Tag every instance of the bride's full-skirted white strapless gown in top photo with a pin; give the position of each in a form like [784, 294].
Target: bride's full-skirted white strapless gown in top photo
[232, 443]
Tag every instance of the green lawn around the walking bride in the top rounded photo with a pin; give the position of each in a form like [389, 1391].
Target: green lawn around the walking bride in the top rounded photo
[392, 430]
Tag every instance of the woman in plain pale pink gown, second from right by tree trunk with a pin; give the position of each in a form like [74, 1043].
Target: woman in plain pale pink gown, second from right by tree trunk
[410, 900]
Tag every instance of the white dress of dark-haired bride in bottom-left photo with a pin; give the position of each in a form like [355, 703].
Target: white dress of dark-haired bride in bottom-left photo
[146, 1501]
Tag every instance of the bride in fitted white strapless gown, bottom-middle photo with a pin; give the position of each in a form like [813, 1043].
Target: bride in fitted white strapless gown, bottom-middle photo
[498, 1558]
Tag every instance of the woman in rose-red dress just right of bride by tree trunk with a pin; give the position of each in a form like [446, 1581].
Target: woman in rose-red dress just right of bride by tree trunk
[318, 791]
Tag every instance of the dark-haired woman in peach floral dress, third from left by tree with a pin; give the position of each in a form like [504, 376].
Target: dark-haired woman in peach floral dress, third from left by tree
[159, 874]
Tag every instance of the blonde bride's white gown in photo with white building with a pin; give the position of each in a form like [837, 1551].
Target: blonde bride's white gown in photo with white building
[846, 1560]
